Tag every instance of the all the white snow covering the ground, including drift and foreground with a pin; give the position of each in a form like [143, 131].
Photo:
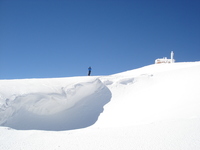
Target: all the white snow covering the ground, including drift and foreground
[150, 108]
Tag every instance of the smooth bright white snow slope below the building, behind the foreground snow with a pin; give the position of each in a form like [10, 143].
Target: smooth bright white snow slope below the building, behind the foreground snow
[153, 93]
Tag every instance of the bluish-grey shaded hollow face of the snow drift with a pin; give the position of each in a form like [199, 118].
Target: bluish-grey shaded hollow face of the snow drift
[75, 106]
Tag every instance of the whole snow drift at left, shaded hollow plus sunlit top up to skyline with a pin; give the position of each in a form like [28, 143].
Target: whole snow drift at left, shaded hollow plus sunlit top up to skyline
[73, 104]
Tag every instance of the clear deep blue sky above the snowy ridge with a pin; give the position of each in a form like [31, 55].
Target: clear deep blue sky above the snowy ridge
[62, 38]
